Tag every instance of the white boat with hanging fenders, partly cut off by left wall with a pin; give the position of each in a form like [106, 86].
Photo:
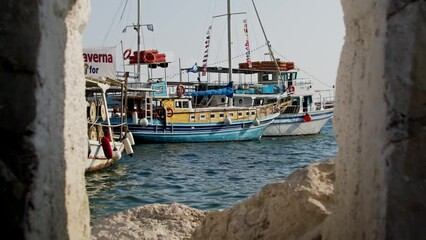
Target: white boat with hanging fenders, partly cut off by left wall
[104, 146]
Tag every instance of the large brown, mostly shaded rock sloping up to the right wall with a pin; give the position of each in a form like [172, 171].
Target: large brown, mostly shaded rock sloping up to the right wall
[291, 209]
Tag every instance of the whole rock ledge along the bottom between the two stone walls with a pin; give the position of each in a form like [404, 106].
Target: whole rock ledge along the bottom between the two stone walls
[292, 209]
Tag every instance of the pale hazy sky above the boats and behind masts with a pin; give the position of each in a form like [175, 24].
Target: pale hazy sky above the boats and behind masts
[309, 33]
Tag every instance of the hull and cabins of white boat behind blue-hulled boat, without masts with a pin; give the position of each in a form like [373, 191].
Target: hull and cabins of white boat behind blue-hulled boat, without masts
[307, 111]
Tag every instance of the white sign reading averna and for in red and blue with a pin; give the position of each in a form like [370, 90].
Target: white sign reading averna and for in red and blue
[99, 62]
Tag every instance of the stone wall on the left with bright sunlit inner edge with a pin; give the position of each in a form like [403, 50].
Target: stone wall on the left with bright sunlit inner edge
[41, 94]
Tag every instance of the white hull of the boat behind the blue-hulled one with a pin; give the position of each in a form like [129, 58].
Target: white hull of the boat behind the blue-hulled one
[294, 124]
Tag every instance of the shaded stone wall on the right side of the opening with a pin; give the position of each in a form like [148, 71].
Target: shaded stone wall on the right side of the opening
[380, 123]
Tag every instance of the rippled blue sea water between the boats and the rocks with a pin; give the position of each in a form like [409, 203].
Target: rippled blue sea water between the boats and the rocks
[206, 176]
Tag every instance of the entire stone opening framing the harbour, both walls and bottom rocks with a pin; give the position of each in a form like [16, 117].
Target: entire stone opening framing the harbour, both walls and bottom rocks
[380, 126]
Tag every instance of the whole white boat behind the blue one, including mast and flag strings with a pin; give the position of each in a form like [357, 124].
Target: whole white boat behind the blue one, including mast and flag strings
[303, 110]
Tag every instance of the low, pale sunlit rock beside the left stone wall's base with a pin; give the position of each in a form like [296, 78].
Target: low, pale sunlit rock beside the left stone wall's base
[156, 221]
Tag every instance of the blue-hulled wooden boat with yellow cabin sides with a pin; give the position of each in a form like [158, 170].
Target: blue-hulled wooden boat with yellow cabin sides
[173, 118]
